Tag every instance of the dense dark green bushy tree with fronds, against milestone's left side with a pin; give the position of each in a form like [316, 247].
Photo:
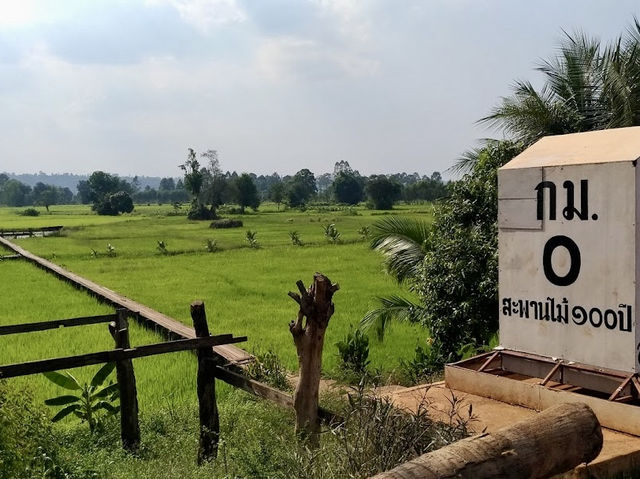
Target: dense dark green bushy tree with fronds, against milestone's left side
[452, 264]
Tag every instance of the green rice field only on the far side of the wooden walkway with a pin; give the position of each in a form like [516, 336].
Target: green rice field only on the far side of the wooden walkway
[244, 289]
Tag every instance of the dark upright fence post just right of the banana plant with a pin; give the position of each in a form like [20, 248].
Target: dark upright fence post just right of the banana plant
[130, 428]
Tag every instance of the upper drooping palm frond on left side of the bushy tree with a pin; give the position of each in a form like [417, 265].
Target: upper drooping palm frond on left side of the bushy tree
[402, 241]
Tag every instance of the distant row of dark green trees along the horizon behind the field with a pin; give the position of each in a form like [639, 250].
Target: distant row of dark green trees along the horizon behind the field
[206, 183]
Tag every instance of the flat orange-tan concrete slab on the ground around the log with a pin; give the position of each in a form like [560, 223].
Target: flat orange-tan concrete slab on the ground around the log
[620, 452]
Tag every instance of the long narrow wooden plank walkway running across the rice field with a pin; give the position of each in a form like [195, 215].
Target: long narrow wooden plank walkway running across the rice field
[172, 327]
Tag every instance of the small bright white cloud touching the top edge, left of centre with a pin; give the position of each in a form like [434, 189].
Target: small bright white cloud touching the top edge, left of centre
[206, 14]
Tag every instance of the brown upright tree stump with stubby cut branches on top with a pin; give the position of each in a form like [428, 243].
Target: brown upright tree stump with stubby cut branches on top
[316, 306]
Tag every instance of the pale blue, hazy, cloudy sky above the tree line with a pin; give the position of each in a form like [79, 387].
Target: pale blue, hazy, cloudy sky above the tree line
[272, 85]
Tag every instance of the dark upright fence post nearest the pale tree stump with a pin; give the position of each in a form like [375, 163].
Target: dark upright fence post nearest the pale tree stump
[209, 420]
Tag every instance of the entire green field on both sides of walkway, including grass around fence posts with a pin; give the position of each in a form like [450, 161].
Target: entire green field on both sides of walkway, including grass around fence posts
[244, 290]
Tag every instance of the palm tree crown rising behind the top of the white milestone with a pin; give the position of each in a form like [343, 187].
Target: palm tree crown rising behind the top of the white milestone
[587, 87]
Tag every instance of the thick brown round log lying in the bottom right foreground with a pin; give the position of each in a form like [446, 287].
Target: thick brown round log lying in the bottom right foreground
[552, 442]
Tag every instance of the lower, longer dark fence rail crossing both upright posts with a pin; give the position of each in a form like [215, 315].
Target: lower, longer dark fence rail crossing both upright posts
[70, 362]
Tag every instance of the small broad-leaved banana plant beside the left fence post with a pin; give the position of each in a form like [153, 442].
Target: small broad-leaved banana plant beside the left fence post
[92, 401]
